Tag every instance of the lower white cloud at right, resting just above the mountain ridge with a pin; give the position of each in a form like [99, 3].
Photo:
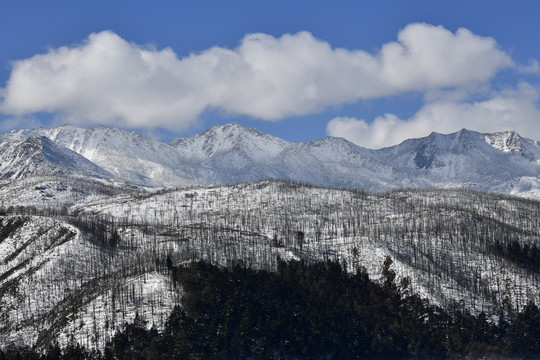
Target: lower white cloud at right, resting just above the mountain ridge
[515, 109]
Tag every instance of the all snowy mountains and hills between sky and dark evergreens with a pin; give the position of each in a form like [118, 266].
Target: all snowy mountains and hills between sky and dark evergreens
[92, 220]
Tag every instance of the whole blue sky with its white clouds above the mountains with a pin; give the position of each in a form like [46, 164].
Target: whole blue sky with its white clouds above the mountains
[375, 73]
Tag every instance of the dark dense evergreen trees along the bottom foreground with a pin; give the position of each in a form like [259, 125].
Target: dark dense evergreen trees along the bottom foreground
[308, 312]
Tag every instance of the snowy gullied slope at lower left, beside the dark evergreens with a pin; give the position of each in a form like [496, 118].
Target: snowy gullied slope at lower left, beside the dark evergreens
[54, 288]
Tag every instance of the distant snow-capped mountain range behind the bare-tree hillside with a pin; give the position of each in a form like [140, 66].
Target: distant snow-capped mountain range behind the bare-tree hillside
[501, 162]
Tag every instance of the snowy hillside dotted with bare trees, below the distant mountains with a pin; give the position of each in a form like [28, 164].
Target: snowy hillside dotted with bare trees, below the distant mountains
[105, 258]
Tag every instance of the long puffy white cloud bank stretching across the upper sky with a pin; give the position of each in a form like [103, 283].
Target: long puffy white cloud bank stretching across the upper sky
[108, 80]
